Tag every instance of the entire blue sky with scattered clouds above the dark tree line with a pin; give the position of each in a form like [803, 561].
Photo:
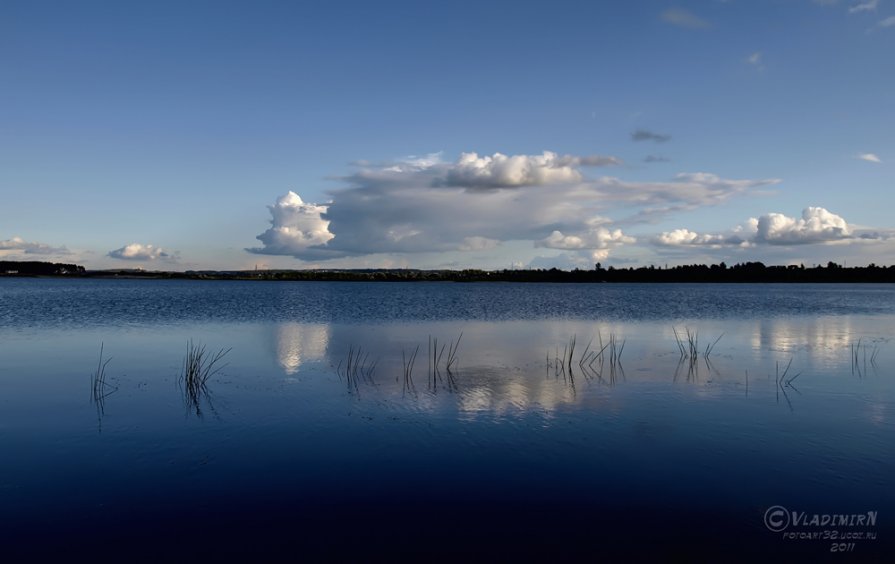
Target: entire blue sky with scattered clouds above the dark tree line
[197, 135]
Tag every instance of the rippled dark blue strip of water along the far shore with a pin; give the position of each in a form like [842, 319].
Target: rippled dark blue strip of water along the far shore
[76, 303]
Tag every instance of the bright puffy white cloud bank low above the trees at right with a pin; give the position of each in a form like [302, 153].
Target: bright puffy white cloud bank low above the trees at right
[817, 225]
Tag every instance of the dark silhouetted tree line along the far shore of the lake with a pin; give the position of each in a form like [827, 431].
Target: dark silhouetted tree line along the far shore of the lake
[749, 272]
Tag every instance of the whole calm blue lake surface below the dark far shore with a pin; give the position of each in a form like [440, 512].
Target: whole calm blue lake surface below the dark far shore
[288, 455]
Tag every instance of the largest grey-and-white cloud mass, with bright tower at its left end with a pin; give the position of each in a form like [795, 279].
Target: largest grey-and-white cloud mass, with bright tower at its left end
[476, 204]
